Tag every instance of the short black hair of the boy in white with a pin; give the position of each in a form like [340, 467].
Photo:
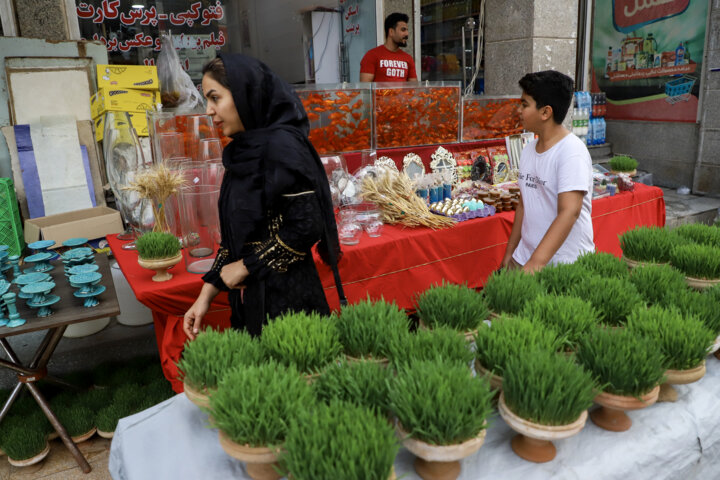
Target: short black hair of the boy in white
[549, 88]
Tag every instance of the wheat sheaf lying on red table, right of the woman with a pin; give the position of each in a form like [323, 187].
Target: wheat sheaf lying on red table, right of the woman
[395, 195]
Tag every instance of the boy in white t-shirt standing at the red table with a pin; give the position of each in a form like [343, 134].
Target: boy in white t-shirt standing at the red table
[552, 221]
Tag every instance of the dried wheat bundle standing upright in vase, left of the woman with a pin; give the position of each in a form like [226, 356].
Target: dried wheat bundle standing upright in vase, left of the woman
[156, 184]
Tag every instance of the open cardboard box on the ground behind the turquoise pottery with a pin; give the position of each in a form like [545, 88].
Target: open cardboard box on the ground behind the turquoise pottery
[90, 223]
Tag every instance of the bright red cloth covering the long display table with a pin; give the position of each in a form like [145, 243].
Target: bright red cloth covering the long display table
[398, 265]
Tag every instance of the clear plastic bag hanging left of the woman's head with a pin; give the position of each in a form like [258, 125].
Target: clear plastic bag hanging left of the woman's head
[177, 89]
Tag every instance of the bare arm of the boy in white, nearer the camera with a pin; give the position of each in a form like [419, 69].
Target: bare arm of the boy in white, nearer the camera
[569, 208]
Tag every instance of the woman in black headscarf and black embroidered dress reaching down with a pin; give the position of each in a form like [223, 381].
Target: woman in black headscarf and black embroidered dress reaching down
[274, 200]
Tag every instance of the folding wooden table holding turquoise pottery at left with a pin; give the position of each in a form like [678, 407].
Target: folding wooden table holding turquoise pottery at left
[69, 310]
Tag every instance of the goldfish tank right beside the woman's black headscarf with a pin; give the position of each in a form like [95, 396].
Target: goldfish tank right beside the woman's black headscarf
[340, 116]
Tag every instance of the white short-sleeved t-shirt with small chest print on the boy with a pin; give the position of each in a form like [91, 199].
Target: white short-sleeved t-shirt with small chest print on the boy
[565, 167]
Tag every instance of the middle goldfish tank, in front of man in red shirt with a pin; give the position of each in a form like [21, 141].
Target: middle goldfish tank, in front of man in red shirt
[410, 114]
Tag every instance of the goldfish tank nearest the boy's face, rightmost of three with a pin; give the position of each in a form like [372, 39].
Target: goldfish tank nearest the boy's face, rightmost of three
[490, 117]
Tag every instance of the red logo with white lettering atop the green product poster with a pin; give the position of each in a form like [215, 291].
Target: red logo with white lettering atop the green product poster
[629, 15]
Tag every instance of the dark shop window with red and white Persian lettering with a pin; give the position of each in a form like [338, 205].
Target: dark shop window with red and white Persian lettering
[131, 29]
